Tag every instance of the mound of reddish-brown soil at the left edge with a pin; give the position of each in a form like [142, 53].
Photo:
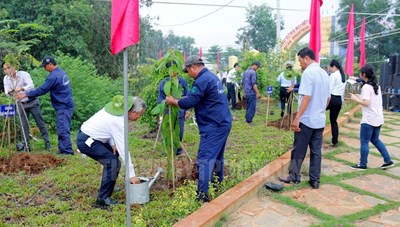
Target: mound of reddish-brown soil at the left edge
[30, 163]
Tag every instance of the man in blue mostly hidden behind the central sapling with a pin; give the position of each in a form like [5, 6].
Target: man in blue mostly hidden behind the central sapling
[182, 113]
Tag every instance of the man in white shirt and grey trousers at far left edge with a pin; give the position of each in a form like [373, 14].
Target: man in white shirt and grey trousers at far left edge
[19, 82]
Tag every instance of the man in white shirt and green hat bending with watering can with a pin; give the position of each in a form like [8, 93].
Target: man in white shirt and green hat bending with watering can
[102, 138]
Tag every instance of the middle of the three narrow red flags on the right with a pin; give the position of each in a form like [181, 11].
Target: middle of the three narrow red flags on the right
[350, 44]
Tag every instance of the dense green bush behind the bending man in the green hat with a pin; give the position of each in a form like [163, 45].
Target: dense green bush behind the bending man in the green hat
[90, 91]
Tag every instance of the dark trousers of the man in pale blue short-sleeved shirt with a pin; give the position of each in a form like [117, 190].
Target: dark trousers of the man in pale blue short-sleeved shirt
[306, 137]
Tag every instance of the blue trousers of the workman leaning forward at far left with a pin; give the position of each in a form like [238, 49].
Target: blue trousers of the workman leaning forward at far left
[64, 130]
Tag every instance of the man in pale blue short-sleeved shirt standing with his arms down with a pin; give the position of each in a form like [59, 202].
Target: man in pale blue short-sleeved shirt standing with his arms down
[309, 123]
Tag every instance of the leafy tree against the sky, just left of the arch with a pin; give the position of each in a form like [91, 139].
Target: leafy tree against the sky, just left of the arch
[260, 31]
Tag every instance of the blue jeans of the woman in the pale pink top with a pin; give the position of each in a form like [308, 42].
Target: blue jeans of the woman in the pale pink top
[370, 133]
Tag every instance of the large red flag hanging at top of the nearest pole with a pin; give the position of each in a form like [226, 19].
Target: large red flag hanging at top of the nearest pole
[125, 24]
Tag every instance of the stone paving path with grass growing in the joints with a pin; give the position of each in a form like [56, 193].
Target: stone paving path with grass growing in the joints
[365, 198]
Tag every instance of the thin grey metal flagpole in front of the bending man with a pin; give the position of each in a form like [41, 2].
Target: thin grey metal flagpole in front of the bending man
[127, 179]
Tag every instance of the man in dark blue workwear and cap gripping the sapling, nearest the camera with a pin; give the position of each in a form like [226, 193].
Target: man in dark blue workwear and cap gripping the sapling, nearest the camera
[213, 118]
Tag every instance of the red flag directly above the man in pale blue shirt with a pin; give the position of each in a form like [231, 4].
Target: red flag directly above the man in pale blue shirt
[315, 30]
